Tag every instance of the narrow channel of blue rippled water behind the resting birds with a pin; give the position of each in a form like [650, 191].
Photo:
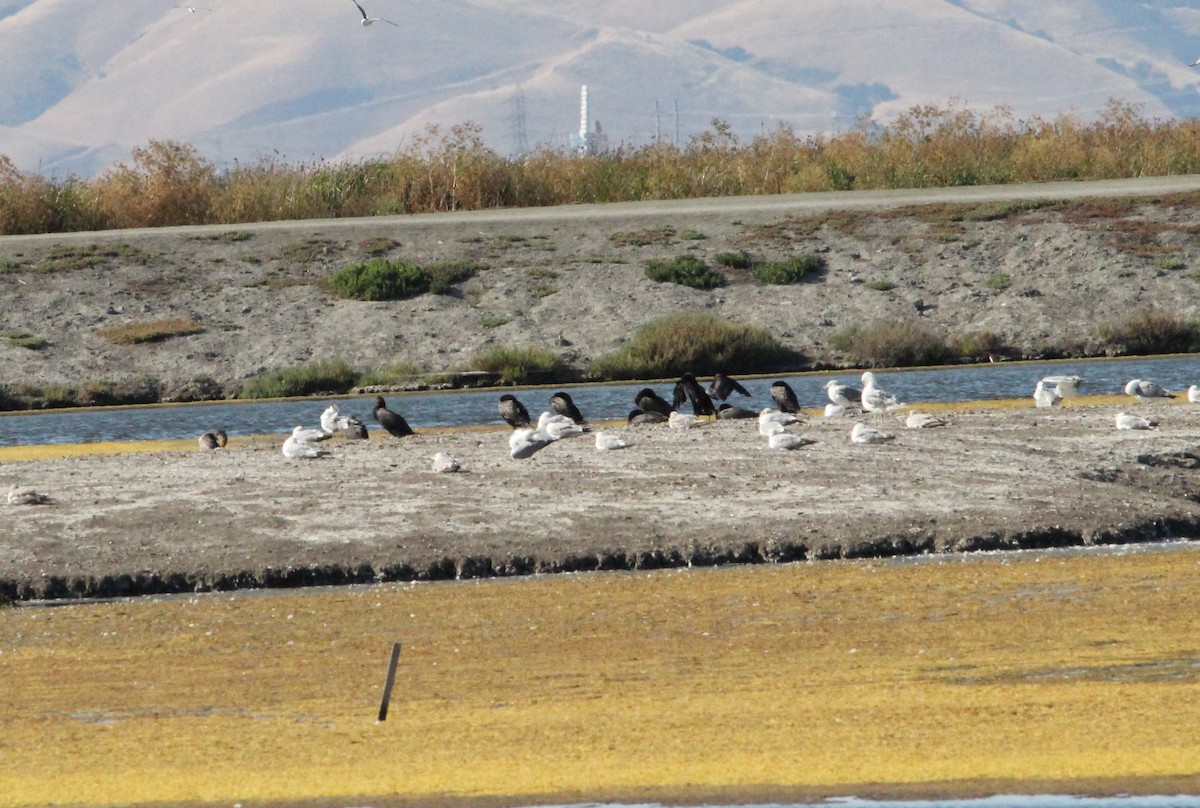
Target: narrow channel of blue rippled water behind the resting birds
[598, 403]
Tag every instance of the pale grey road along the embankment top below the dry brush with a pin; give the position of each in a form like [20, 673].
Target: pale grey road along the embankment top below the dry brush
[1144, 187]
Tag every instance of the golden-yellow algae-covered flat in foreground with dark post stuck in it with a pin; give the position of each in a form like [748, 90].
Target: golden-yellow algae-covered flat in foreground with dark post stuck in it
[800, 679]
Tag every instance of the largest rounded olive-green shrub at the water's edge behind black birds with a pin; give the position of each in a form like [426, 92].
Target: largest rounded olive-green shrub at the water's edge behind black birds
[698, 343]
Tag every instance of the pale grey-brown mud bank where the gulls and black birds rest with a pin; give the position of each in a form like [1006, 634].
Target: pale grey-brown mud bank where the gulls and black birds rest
[248, 517]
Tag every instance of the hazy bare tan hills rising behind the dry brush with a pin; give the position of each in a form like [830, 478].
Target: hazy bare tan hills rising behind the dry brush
[85, 83]
